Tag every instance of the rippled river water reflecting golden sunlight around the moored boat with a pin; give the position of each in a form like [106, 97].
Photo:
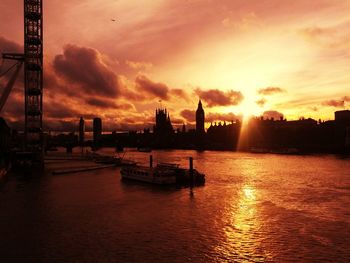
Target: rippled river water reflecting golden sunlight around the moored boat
[253, 208]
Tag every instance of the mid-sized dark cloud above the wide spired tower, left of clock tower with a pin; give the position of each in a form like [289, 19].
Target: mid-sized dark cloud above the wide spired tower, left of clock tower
[144, 84]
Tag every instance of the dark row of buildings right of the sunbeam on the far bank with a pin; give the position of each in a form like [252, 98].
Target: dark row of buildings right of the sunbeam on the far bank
[302, 136]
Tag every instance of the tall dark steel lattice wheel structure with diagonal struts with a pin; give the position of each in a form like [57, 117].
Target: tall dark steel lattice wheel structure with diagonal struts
[33, 79]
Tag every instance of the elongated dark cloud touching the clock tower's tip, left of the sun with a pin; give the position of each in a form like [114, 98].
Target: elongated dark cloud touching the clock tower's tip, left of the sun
[215, 97]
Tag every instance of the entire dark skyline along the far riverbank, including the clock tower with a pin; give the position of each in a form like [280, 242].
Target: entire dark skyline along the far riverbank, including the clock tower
[278, 135]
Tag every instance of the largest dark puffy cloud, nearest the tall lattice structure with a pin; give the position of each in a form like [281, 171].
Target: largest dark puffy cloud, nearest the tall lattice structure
[84, 67]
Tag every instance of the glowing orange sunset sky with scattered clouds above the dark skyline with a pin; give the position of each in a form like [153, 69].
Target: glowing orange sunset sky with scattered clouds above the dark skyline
[240, 57]
